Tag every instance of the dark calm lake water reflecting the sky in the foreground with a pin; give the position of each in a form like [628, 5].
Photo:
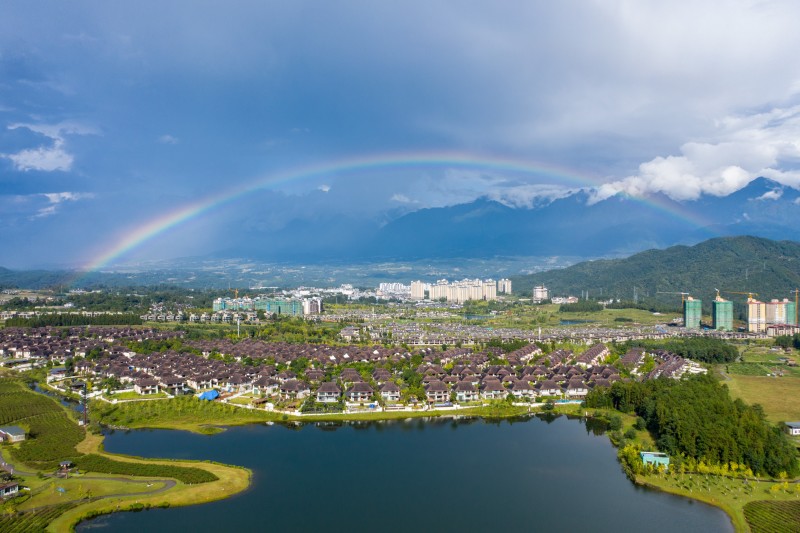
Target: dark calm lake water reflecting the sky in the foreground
[437, 475]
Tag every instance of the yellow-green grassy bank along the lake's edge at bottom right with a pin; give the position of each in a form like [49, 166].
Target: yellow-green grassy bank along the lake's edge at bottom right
[729, 494]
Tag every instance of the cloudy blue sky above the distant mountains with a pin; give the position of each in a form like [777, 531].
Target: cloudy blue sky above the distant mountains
[116, 114]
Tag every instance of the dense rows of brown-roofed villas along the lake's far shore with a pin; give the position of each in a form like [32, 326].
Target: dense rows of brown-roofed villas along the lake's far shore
[469, 378]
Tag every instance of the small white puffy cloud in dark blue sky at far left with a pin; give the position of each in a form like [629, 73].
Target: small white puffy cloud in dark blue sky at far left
[48, 158]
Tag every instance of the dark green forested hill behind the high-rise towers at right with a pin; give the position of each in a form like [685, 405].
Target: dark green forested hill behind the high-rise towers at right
[769, 268]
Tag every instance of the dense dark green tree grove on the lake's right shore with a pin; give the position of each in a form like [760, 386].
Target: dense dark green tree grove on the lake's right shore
[696, 419]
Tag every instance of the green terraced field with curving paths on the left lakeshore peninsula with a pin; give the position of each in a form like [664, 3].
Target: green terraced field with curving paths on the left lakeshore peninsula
[111, 482]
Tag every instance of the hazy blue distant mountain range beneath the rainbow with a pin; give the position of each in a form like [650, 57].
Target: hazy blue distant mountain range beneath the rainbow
[569, 226]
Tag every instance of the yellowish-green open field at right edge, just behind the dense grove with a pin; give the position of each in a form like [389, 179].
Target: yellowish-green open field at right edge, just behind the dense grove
[778, 396]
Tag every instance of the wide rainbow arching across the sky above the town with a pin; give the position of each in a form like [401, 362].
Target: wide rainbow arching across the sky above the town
[140, 234]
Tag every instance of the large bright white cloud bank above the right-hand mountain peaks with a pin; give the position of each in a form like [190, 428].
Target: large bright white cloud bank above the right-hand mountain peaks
[744, 148]
